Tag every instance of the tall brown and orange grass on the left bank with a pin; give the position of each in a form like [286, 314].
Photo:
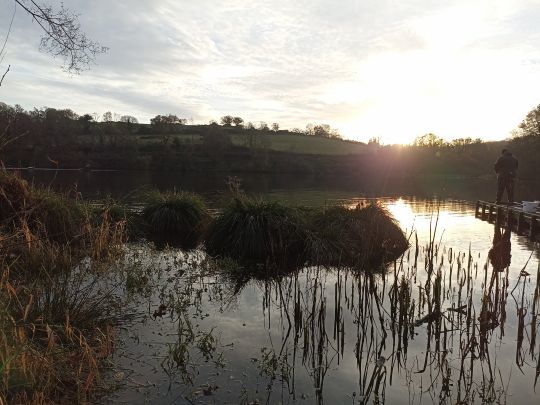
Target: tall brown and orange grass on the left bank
[56, 317]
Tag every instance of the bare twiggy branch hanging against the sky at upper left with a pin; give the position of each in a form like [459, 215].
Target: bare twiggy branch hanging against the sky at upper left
[62, 35]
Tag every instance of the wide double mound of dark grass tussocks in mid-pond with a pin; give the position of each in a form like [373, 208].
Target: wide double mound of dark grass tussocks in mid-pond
[270, 232]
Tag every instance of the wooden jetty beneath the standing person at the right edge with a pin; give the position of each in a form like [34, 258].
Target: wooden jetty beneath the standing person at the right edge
[511, 216]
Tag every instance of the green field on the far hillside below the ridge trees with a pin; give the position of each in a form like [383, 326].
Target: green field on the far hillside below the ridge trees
[278, 142]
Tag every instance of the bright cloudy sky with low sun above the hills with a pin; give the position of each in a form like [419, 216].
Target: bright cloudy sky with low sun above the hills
[369, 68]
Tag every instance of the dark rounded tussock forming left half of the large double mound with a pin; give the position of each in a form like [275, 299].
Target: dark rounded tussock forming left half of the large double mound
[257, 231]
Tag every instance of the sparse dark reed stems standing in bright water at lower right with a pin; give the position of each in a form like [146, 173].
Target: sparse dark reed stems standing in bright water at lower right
[454, 305]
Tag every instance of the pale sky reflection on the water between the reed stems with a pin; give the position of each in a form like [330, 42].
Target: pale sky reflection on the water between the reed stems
[247, 322]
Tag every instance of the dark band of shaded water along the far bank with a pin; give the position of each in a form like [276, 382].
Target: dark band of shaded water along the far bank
[313, 188]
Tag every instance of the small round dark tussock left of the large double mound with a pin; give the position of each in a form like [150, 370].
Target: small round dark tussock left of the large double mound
[176, 217]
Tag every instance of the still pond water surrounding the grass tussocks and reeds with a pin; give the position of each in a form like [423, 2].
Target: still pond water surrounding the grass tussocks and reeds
[454, 321]
